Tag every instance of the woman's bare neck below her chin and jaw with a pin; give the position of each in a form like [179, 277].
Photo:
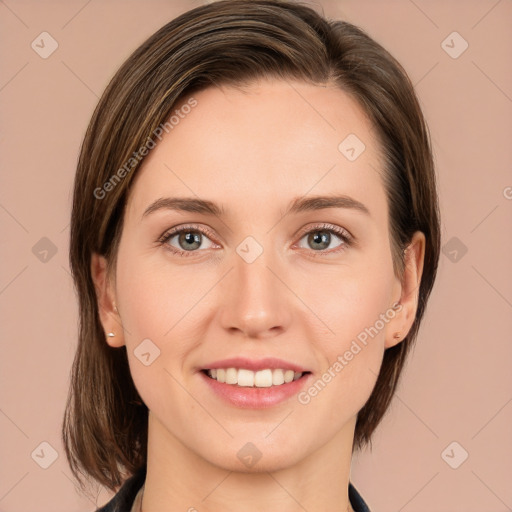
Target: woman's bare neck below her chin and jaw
[179, 479]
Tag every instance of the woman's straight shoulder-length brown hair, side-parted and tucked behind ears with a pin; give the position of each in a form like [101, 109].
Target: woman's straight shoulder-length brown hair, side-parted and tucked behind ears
[229, 42]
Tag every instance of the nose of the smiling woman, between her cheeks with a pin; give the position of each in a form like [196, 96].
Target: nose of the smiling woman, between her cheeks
[256, 303]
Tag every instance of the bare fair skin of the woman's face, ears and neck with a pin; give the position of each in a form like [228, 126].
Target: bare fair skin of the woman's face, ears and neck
[254, 151]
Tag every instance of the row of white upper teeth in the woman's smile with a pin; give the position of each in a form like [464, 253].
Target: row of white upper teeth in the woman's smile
[260, 379]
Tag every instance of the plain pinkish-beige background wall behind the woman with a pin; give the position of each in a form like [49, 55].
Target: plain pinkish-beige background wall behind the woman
[458, 384]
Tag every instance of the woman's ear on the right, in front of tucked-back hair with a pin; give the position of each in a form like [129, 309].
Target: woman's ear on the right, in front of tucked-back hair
[409, 291]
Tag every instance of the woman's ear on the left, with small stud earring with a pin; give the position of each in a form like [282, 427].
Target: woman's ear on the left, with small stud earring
[105, 296]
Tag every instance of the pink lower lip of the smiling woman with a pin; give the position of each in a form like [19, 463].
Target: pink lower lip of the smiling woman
[255, 398]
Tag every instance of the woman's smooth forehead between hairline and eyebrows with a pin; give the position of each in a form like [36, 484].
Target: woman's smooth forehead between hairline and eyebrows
[269, 142]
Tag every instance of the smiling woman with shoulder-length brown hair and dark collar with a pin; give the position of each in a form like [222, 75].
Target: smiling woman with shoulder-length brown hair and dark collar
[254, 237]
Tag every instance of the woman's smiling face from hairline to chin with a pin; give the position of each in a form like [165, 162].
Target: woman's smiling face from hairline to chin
[312, 286]
